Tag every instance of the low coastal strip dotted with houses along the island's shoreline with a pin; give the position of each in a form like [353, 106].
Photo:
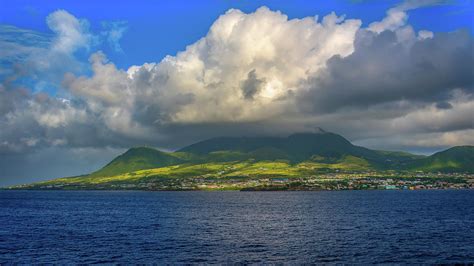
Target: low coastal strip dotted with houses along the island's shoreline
[329, 181]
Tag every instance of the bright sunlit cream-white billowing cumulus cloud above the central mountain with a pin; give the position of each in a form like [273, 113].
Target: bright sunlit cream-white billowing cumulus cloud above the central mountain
[241, 71]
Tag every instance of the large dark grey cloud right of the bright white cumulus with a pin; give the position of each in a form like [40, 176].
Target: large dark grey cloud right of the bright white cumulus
[382, 69]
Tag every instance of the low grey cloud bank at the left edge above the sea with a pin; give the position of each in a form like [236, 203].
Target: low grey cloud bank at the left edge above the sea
[31, 122]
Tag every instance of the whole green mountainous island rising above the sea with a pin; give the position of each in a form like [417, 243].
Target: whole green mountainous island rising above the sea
[245, 162]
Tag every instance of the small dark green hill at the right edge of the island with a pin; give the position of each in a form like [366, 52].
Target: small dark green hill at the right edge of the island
[456, 159]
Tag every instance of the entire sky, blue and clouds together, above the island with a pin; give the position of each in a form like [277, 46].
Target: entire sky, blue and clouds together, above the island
[82, 81]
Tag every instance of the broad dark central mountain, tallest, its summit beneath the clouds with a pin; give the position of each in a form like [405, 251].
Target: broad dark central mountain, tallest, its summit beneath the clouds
[322, 146]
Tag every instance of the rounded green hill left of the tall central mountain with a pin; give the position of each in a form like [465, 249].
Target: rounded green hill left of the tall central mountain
[137, 159]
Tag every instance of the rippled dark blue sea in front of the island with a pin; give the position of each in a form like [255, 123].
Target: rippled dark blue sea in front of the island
[247, 227]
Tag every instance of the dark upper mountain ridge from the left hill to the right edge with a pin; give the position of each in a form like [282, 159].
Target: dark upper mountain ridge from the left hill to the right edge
[322, 146]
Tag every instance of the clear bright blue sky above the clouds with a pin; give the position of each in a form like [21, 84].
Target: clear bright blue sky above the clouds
[159, 28]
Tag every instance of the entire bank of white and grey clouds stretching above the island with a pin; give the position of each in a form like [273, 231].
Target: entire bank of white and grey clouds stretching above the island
[256, 73]
